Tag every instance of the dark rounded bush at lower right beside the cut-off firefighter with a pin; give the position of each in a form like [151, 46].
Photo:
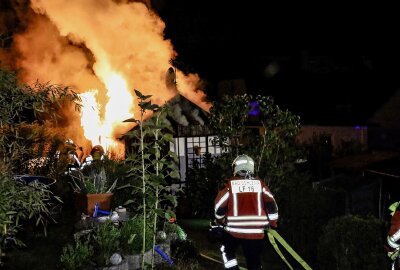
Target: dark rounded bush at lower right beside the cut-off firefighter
[352, 242]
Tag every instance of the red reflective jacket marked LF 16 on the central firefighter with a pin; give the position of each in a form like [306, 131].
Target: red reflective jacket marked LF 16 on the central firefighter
[245, 207]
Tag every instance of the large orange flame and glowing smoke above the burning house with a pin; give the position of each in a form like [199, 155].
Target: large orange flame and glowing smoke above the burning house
[104, 49]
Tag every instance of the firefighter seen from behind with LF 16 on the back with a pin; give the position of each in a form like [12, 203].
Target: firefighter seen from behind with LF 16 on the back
[244, 207]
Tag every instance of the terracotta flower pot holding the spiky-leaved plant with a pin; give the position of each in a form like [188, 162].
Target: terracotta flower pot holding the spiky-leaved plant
[85, 203]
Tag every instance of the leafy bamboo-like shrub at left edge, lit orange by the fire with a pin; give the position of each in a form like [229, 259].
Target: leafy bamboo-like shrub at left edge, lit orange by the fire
[24, 109]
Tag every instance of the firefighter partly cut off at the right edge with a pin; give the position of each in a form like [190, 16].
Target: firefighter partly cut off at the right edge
[393, 238]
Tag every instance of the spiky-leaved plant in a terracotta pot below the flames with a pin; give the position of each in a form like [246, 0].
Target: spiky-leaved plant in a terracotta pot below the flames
[92, 185]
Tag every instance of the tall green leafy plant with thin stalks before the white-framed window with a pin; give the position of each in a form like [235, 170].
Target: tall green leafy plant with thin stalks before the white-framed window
[153, 162]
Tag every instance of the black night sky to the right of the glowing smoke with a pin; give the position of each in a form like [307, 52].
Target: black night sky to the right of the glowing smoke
[328, 64]
